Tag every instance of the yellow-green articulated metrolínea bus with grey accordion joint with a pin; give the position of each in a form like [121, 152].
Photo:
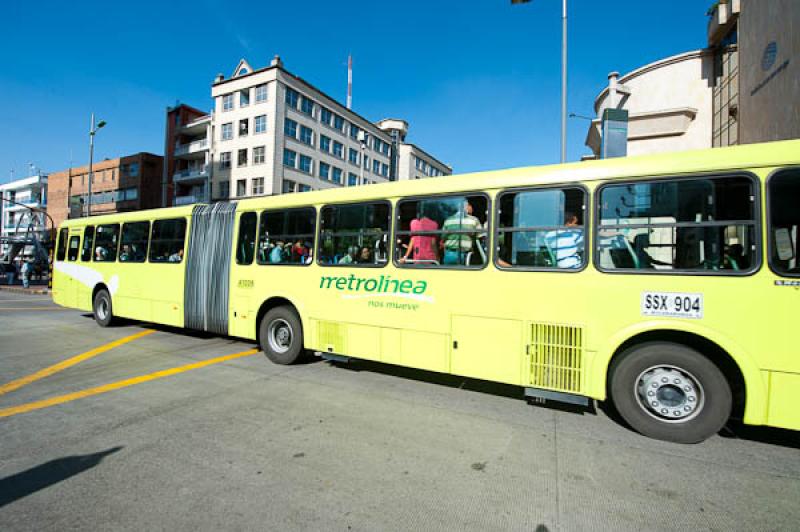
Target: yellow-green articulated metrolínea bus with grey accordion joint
[668, 284]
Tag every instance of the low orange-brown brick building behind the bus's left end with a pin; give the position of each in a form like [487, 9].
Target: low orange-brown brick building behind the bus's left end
[122, 184]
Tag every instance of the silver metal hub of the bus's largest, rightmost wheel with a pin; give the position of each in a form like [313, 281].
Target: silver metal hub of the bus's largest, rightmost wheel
[669, 393]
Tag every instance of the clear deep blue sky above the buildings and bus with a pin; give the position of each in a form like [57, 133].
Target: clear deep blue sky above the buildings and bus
[478, 81]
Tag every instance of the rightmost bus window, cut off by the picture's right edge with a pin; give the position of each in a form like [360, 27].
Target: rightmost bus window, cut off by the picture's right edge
[783, 191]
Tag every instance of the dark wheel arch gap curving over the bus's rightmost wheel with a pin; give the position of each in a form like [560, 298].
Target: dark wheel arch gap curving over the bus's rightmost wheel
[709, 350]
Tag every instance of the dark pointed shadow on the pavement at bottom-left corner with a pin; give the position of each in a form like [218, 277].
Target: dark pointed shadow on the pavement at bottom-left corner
[45, 475]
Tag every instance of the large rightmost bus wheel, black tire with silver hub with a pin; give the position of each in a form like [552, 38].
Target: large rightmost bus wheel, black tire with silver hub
[670, 392]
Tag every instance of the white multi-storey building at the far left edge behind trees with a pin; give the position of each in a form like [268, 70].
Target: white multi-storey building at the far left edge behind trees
[18, 198]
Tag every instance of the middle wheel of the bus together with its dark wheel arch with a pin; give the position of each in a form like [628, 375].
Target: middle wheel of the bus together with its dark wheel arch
[278, 317]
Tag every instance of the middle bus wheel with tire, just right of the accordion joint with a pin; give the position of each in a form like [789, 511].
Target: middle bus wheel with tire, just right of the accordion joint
[280, 334]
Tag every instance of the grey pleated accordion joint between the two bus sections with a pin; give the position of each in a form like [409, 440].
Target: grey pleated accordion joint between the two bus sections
[208, 263]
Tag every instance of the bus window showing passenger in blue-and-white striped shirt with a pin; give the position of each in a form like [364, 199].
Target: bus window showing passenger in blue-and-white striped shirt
[541, 228]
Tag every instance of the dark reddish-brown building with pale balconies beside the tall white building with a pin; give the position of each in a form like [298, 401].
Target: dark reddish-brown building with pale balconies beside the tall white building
[187, 161]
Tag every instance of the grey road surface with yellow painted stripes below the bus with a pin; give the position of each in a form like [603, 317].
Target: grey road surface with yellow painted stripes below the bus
[120, 439]
